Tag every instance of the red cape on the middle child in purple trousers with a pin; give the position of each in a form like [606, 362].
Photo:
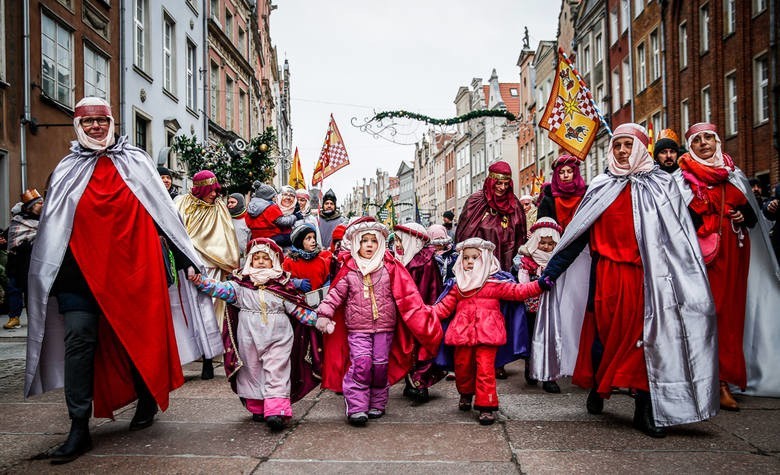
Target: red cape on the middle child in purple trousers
[415, 321]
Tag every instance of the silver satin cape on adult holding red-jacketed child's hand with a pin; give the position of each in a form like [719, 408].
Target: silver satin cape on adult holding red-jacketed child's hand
[679, 336]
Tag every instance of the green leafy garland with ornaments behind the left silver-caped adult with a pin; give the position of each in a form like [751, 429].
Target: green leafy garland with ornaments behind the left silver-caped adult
[235, 174]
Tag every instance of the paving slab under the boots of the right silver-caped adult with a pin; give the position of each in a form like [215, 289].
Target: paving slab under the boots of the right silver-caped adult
[619, 435]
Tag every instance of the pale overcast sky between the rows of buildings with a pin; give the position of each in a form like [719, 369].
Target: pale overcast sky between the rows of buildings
[352, 58]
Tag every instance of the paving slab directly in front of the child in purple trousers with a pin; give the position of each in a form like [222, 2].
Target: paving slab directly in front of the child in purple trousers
[388, 441]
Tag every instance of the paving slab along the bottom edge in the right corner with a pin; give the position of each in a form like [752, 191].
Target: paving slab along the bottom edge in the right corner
[533, 462]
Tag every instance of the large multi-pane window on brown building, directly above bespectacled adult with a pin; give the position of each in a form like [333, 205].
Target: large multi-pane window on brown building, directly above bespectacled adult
[56, 61]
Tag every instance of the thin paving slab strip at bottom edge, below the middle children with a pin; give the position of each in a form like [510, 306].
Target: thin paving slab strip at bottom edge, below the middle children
[306, 467]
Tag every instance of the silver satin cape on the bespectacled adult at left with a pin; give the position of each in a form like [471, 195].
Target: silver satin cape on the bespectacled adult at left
[193, 313]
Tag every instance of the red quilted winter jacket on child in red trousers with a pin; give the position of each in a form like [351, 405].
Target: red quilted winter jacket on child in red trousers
[478, 319]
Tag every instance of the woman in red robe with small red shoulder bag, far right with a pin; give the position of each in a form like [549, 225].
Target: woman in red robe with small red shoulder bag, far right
[724, 215]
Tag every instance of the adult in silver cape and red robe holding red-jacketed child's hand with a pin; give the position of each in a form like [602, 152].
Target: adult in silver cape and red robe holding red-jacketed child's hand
[642, 316]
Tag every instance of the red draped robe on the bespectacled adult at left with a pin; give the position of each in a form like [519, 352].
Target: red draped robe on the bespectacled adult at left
[117, 248]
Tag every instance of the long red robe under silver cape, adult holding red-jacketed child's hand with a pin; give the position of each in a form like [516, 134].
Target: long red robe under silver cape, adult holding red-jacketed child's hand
[617, 319]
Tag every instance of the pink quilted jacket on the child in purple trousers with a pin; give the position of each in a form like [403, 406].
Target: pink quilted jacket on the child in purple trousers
[358, 314]
